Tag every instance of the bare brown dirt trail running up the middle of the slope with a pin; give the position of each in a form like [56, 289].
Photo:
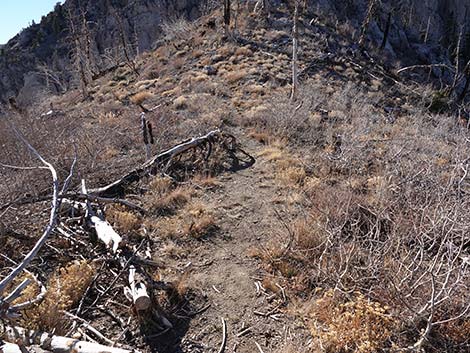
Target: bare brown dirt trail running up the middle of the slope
[225, 273]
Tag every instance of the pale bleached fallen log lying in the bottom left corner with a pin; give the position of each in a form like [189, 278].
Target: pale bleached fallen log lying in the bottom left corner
[17, 338]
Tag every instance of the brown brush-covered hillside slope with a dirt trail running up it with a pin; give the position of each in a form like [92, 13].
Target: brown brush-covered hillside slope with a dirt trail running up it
[338, 222]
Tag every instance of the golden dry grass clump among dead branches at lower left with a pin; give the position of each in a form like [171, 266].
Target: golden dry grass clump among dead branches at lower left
[65, 289]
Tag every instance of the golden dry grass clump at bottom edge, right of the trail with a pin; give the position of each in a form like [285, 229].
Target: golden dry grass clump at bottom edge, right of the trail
[355, 325]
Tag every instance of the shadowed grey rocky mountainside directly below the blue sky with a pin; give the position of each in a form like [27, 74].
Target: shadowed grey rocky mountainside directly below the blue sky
[48, 44]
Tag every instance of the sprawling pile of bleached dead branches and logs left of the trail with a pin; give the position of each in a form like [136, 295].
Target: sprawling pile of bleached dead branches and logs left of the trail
[75, 213]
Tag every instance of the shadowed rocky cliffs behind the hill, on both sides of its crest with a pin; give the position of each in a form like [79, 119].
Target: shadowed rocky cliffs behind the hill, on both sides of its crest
[419, 32]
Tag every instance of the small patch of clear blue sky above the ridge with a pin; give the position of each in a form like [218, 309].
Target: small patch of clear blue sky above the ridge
[18, 14]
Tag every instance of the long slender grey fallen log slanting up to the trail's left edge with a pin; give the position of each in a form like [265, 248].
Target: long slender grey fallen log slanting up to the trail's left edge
[117, 187]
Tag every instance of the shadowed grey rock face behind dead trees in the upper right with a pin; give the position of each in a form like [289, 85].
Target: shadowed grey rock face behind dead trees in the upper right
[414, 23]
